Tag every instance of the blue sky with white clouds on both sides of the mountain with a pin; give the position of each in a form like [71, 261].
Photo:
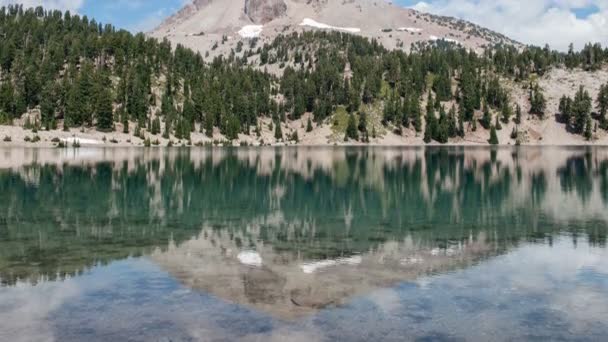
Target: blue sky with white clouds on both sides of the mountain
[554, 22]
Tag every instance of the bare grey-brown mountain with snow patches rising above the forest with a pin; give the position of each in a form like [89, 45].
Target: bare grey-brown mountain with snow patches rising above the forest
[203, 23]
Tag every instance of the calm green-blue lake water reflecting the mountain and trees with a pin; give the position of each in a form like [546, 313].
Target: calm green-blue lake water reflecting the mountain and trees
[303, 244]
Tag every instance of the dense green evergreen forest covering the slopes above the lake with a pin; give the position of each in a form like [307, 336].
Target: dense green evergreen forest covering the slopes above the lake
[78, 72]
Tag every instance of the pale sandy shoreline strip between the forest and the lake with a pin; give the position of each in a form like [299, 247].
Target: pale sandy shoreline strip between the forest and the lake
[321, 136]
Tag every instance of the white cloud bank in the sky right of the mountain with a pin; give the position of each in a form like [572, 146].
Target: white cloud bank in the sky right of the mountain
[538, 22]
